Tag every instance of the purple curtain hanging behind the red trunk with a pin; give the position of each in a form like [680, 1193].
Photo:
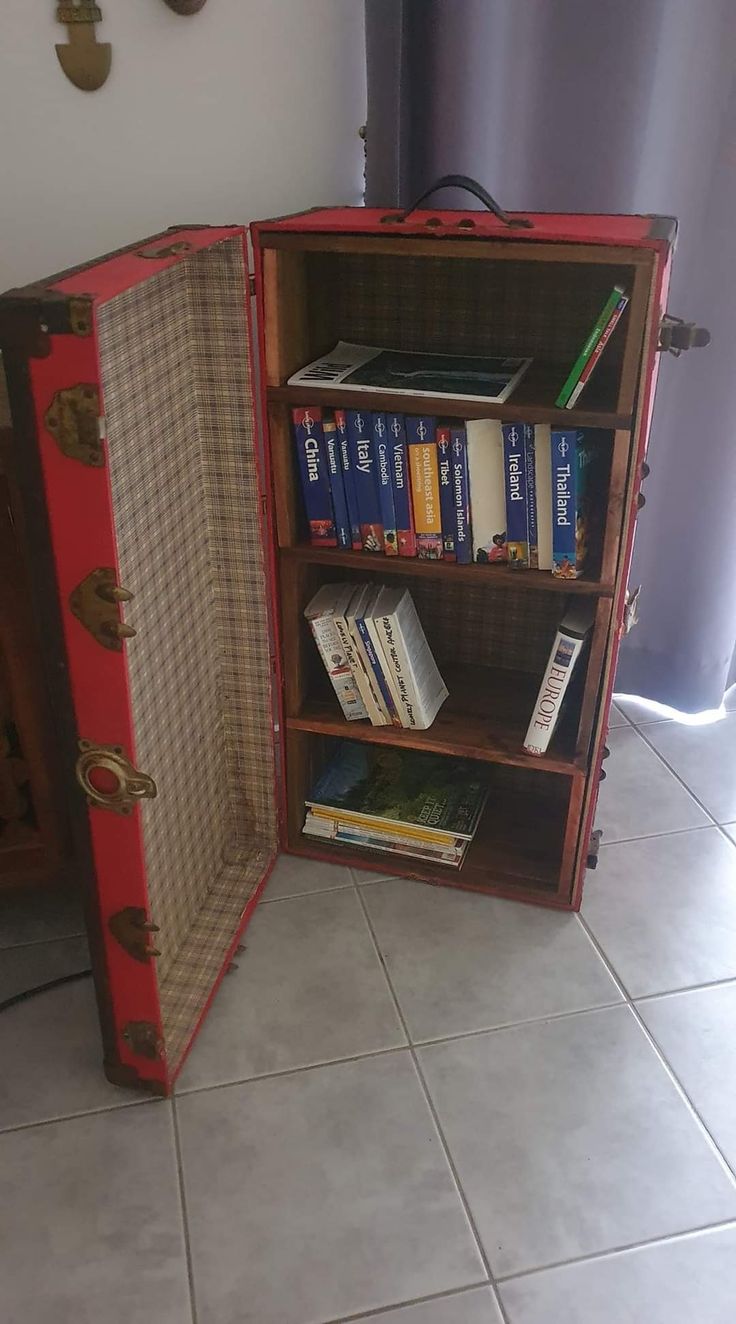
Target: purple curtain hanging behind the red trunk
[627, 107]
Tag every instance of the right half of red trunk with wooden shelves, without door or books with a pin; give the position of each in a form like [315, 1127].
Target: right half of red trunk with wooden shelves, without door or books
[518, 292]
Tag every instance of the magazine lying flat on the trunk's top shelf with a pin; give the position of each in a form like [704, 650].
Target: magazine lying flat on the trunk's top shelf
[363, 367]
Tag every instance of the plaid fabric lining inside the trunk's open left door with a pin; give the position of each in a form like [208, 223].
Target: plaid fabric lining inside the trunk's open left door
[187, 517]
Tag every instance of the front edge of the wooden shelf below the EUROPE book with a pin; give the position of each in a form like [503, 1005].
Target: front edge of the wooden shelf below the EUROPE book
[432, 743]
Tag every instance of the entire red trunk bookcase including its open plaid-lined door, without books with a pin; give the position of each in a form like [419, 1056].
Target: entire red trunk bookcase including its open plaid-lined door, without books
[162, 530]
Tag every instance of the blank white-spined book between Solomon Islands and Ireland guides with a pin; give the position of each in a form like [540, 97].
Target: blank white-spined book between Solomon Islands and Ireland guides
[488, 492]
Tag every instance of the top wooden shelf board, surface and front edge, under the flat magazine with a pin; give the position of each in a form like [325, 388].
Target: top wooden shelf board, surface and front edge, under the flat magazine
[533, 402]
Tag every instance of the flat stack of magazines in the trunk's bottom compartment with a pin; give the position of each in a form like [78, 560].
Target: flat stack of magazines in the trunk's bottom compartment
[402, 802]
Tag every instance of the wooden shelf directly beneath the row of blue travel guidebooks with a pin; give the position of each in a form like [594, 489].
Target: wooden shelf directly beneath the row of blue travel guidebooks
[496, 577]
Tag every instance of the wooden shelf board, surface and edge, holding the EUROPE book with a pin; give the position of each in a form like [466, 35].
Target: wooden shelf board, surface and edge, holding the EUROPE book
[485, 717]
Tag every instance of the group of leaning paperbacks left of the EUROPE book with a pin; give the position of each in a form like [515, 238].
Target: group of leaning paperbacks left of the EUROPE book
[377, 656]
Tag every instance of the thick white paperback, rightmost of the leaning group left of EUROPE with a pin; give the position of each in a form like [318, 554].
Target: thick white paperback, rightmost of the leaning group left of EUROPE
[414, 673]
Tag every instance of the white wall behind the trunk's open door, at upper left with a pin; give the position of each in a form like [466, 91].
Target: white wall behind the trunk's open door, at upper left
[246, 111]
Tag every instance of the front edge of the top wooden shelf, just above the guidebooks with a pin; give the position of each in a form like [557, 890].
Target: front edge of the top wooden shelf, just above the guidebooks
[448, 407]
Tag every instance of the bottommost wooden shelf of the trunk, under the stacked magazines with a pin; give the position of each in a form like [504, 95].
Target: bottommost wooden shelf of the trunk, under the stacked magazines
[517, 851]
